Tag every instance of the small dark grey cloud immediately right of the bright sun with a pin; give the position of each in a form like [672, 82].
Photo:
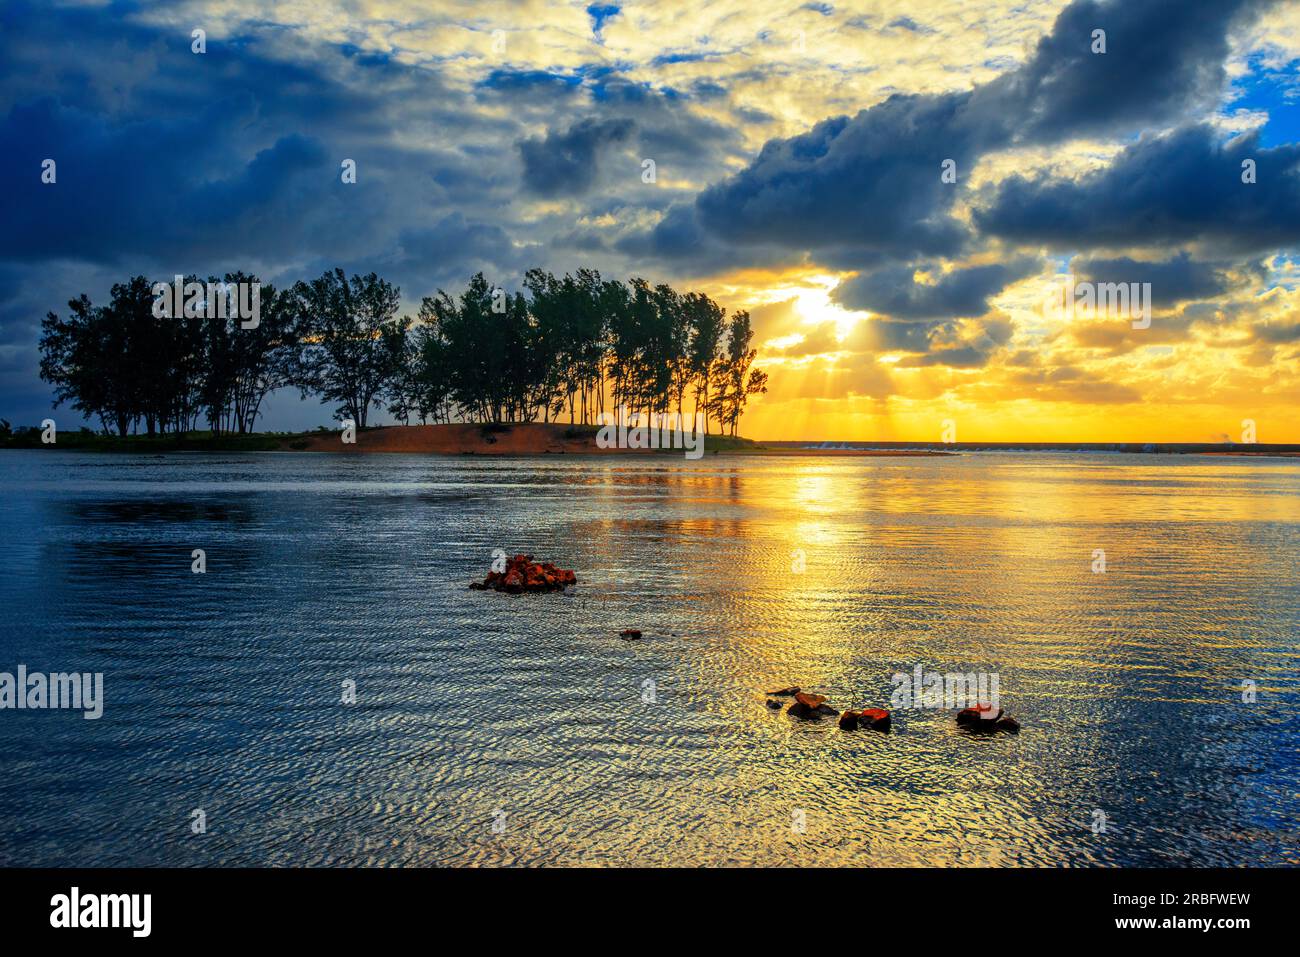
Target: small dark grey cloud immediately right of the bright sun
[964, 292]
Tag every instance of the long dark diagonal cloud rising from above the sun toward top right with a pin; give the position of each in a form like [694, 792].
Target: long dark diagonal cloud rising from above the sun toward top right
[873, 183]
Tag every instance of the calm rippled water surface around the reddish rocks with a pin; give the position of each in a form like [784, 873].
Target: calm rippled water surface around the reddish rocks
[496, 730]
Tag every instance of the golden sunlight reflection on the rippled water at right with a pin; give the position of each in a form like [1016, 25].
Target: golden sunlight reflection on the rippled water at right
[978, 564]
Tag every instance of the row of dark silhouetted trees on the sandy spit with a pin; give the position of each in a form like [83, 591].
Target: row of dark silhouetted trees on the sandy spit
[574, 347]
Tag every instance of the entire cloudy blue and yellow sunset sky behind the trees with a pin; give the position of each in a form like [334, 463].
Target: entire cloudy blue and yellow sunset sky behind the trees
[898, 193]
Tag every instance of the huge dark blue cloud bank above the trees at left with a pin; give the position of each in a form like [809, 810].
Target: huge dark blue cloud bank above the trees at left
[170, 161]
